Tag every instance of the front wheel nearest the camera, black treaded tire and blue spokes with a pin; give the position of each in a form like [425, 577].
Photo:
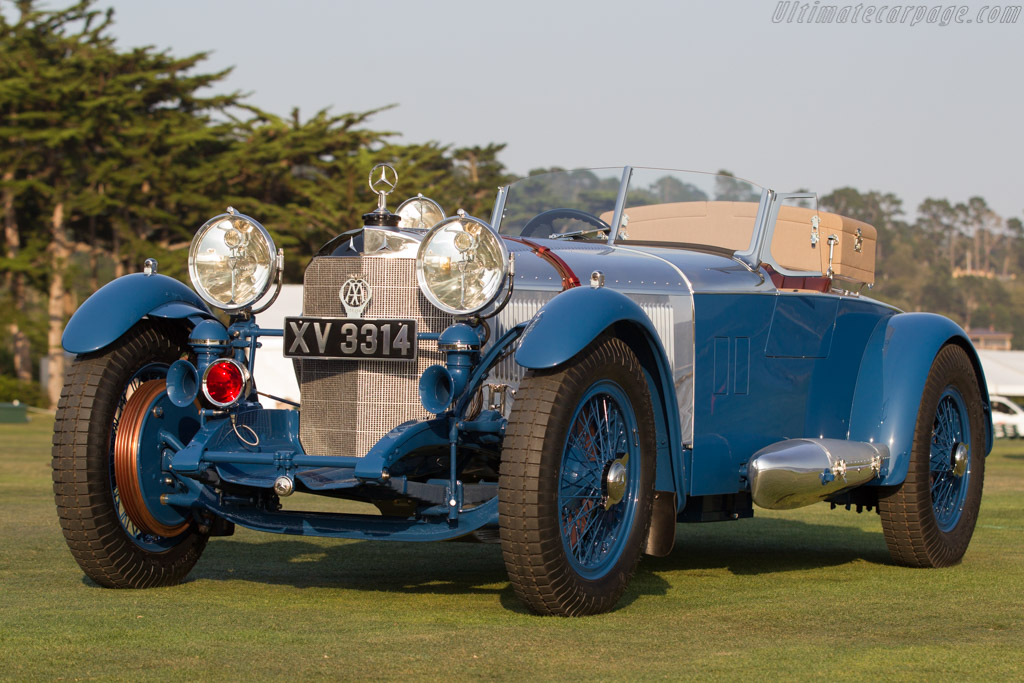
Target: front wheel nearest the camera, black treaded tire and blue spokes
[536, 484]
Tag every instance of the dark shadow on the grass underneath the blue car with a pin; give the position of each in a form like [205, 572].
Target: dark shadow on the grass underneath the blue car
[758, 547]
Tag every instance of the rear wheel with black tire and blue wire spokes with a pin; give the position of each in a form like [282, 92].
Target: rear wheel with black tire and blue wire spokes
[932, 530]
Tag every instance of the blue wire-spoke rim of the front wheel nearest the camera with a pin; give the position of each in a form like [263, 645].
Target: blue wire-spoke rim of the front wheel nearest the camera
[602, 433]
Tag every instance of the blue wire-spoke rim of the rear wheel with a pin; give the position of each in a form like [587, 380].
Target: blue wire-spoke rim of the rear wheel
[952, 428]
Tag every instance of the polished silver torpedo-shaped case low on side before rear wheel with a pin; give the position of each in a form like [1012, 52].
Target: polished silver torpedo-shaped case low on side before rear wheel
[802, 472]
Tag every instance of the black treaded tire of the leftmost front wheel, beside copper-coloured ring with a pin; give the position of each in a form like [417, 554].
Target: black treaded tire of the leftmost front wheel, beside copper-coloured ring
[101, 537]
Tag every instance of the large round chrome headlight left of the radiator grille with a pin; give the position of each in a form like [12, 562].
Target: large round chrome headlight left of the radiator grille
[232, 262]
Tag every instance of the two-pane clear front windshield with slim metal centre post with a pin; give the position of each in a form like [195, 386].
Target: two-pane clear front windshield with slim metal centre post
[661, 207]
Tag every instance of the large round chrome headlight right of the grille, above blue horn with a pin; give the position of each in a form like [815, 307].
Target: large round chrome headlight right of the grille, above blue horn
[462, 265]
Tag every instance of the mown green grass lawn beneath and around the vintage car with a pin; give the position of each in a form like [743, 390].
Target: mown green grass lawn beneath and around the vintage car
[802, 595]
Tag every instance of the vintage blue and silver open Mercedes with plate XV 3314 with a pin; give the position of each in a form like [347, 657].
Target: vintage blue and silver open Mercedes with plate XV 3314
[619, 351]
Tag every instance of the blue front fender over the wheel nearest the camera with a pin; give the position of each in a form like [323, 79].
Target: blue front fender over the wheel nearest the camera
[568, 324]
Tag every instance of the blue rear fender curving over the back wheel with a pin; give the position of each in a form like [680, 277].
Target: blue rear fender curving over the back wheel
[893, 371]
